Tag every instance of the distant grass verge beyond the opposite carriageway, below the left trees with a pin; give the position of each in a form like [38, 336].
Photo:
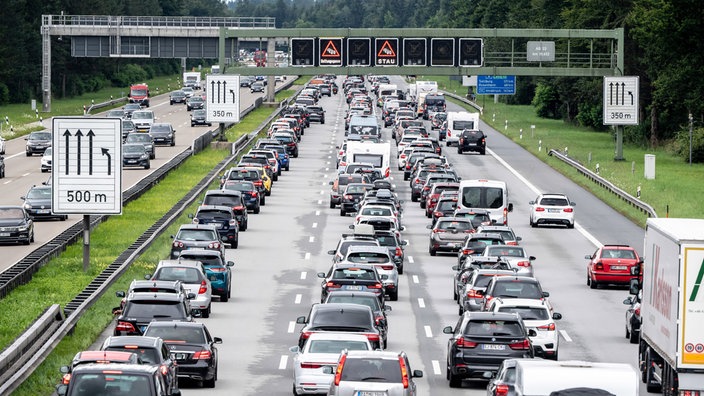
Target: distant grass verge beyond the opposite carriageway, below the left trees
[22, 118]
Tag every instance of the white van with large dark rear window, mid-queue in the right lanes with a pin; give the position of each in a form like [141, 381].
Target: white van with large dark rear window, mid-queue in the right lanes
[490, 195]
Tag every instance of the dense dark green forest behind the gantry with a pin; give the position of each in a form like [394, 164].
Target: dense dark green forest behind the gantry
[664, 46]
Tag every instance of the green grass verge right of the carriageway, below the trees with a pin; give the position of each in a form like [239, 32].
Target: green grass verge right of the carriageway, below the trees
[675, 190]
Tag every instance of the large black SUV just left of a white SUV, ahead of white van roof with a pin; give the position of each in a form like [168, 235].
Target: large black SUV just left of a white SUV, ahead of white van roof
[481, 341]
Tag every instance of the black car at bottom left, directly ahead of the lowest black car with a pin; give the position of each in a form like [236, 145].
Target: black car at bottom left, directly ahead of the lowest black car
[153, 352]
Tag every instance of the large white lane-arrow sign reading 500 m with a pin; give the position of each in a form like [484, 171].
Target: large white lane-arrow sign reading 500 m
[86, 173]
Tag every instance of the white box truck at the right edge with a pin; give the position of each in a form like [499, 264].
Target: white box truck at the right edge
[671, 349]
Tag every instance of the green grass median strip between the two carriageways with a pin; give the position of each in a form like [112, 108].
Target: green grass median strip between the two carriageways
[62, 278]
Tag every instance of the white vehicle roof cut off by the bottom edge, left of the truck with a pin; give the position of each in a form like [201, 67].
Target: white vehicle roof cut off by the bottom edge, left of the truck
[538, 377]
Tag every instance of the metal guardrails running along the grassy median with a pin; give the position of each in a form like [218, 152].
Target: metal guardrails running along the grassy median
[18, 361]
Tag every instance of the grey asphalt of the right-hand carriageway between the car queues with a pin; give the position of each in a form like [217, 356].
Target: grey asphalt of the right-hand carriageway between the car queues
[285, 246]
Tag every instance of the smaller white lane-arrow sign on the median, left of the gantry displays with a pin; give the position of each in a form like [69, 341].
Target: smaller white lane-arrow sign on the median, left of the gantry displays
[222, 103]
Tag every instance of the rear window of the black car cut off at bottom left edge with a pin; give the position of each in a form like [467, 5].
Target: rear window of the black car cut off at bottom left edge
[111, 383]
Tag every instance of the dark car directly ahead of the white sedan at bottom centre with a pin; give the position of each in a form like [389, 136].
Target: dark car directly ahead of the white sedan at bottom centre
[349, 318]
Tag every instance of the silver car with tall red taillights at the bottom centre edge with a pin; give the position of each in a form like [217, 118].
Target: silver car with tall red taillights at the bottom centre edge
[373, 373]
